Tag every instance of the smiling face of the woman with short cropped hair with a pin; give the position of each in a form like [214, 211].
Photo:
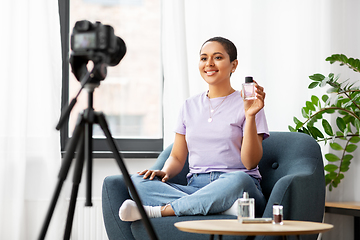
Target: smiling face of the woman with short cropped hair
[215, 66]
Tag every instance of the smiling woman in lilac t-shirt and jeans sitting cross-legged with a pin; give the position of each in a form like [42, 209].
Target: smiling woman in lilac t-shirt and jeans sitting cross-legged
[223, 134]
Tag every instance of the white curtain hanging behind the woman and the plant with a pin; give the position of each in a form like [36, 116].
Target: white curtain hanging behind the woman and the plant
[280, 43]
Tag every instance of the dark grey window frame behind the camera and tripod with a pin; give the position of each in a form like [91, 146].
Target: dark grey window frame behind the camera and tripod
[128, 147]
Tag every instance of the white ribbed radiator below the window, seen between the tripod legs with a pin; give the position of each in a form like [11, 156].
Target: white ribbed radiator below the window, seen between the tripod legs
[88, 222]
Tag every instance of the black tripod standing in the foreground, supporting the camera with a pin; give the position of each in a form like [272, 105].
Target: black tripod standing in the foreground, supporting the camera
[81, 142]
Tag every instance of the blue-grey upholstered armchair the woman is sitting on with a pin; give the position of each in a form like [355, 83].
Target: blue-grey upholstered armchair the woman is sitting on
[293, 175]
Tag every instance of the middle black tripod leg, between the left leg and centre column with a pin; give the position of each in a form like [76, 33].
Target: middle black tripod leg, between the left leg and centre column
[76, 182]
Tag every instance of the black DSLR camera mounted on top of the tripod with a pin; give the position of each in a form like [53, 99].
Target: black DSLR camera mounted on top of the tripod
[95, 42]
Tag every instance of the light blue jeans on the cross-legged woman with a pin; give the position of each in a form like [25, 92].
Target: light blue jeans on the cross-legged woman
[205, 193]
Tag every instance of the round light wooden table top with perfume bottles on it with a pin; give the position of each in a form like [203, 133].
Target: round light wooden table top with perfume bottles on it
[233, 227]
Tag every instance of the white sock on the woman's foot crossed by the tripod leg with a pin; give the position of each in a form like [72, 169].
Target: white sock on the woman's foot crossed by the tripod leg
[129, 211]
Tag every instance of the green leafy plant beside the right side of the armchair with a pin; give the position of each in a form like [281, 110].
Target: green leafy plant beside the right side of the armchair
[343, 99]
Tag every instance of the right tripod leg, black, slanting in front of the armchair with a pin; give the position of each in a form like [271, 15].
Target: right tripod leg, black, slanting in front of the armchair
[102, 122]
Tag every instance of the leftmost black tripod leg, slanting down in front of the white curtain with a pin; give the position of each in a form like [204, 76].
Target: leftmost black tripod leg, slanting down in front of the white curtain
[70, 151]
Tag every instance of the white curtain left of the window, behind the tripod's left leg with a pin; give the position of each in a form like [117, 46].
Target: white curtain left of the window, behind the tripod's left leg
[30, 68]
